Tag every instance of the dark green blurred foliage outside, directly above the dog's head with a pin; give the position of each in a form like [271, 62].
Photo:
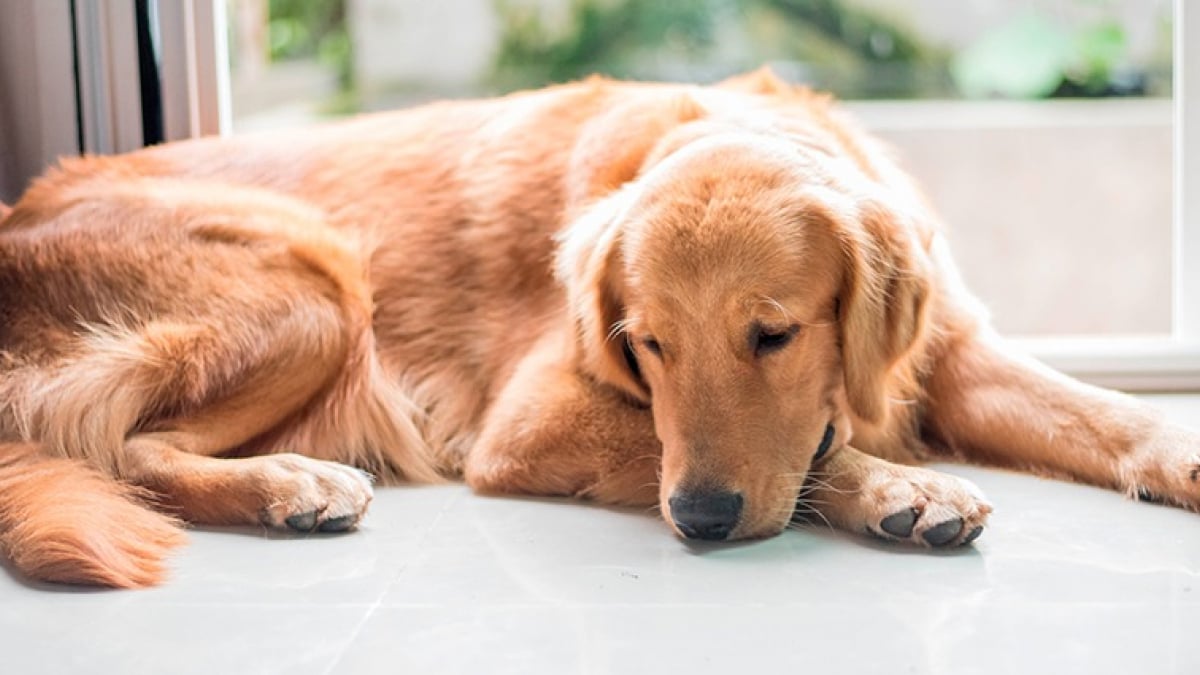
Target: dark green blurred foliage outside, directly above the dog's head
[838, 45]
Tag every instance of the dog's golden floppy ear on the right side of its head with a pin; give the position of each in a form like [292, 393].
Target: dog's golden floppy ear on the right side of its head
[883, 307]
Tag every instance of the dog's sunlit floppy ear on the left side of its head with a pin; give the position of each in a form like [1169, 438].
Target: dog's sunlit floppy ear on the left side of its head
[590, 266]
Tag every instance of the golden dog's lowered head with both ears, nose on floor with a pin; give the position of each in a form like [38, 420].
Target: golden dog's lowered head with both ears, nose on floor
[758, 307]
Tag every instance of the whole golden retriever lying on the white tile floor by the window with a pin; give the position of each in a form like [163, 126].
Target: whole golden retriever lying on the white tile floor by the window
[725, 301]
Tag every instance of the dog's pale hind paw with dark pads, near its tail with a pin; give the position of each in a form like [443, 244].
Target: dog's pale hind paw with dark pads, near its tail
[311, 495]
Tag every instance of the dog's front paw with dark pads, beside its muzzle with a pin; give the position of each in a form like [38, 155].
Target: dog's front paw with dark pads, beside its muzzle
[925, 507]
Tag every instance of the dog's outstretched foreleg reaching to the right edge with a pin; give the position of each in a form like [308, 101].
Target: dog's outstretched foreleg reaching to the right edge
[993, 407]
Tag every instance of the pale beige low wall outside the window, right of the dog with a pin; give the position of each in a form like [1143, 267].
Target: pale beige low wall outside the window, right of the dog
[1059, 213]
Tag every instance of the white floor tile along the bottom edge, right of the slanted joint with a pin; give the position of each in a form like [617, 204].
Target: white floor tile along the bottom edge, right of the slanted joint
[958, 637]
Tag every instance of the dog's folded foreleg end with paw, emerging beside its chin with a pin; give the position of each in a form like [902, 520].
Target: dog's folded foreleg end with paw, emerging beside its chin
[855, 492]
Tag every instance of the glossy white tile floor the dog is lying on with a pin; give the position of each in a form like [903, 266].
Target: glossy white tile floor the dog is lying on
[1067, 580]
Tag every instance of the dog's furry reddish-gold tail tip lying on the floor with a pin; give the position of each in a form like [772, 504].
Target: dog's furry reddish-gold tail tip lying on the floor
[63, 522]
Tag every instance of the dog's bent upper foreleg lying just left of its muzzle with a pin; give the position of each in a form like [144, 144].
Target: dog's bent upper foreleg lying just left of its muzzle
[553, 432]
